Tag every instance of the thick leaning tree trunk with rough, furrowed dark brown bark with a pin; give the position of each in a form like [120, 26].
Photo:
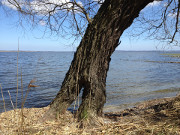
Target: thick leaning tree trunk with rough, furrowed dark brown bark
[89, 67]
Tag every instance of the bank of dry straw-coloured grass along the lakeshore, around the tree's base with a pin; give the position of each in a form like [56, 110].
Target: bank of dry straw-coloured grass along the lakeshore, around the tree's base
[155, 117]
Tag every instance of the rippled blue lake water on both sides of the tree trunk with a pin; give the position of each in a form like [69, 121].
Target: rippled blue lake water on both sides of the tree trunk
[131, 78]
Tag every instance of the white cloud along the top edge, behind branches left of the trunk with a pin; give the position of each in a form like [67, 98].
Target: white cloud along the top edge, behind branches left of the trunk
[43, 7]
